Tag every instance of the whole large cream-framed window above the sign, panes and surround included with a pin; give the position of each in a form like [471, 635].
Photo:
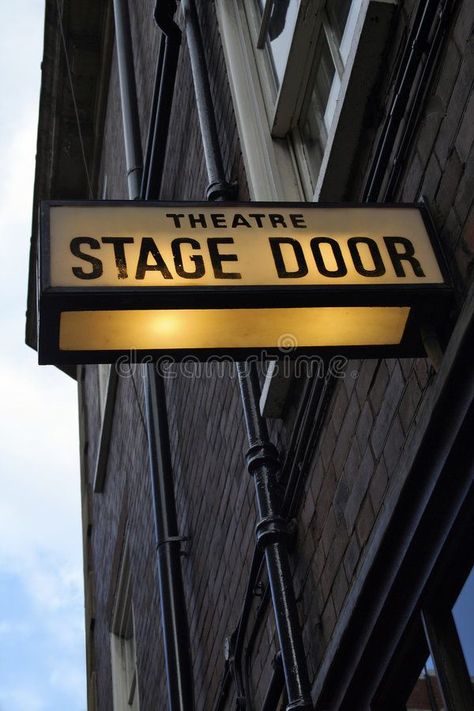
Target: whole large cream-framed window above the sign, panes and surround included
[303, 71]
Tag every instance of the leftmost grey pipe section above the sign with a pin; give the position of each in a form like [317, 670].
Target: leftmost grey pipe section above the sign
[128, 95]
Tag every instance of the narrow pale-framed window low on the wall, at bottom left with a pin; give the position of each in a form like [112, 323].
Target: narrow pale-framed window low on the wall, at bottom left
[122, 644]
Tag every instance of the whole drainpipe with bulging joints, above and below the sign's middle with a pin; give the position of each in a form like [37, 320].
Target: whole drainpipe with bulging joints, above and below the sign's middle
[262, 457]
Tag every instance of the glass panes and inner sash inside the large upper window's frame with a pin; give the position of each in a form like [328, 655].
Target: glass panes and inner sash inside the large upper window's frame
[307, 92]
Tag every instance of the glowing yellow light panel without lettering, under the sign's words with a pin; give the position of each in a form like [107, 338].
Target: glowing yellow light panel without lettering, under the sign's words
[231, 328]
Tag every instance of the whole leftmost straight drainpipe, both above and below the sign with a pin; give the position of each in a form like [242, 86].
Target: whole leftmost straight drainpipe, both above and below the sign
[173, 607]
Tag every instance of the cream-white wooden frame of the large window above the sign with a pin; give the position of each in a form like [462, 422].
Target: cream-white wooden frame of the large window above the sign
[270, 145]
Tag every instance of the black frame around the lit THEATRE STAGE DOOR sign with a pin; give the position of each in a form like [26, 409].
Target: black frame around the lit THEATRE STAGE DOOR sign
[429, 303]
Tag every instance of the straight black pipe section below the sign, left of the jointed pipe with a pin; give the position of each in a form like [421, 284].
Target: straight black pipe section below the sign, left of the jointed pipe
[168, 542]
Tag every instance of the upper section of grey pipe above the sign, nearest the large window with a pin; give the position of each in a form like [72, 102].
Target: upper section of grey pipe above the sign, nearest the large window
[218, 187]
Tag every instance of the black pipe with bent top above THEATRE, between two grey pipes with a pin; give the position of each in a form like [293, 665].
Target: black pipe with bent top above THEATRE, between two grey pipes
[162, 99]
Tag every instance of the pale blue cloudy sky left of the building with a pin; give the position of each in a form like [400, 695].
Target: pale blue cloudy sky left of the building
[41, 589]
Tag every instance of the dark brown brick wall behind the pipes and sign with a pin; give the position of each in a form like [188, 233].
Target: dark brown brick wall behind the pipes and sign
[355, 471]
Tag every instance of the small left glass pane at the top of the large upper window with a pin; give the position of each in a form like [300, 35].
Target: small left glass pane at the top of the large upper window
[280, 32]
